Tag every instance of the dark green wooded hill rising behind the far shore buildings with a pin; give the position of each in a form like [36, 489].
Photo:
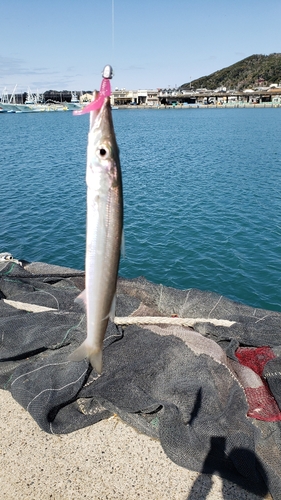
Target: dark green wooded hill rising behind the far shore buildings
[254, 71]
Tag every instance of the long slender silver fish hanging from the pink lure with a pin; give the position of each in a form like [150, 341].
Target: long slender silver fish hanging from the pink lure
[104, 229]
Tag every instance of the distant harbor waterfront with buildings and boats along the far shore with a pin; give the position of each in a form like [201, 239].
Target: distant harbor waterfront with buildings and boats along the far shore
[174, 98]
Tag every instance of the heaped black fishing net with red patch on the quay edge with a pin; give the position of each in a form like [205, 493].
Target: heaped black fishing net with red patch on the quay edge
[211, 393]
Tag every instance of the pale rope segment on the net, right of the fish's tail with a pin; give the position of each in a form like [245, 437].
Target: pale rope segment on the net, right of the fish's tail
[148, 320]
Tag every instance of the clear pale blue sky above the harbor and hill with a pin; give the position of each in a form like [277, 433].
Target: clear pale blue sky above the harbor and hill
[64, 44]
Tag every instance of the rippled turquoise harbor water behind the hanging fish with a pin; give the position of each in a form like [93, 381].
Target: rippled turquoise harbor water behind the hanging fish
[201, 192]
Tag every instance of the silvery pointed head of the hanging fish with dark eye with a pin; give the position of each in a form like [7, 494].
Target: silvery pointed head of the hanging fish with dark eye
[103, 151]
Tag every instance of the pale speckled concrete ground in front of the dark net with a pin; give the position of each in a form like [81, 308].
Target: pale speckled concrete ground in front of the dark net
[106, 461]
